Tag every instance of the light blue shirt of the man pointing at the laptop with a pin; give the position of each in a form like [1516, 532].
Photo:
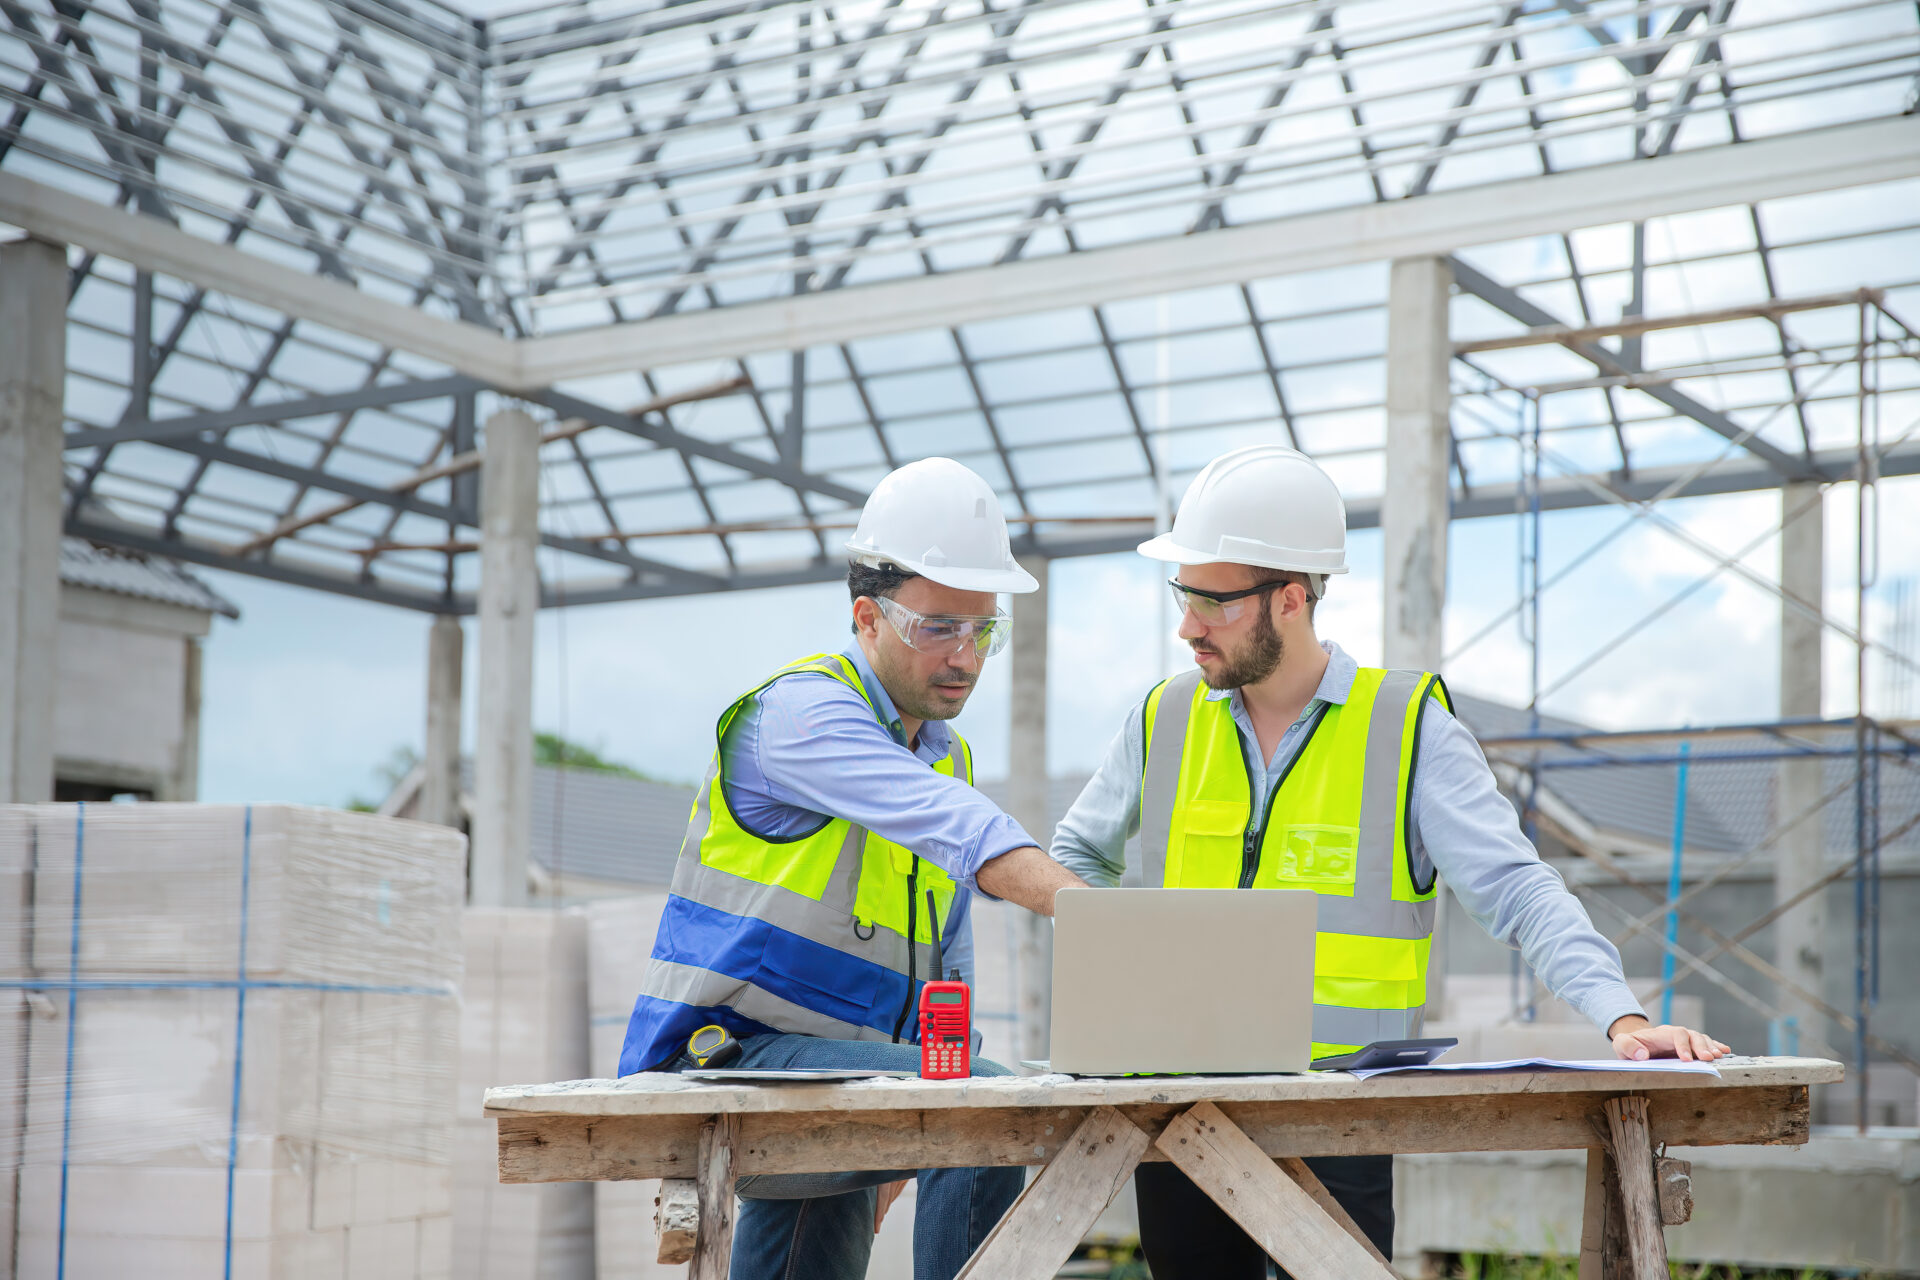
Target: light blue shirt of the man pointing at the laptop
[811, 751]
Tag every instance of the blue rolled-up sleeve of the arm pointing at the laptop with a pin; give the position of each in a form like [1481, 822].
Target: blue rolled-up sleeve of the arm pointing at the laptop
[819, 747]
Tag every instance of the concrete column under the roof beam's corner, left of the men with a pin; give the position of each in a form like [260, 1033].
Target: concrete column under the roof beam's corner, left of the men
[510, 596]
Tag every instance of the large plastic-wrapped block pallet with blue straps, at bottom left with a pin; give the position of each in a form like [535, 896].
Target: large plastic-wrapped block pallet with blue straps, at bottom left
[231, 1041]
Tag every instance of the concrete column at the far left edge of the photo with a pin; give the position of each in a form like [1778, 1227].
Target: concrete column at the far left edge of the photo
[34, 375]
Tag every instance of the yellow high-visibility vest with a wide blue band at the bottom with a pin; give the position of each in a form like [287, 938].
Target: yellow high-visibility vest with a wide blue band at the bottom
[825, 934]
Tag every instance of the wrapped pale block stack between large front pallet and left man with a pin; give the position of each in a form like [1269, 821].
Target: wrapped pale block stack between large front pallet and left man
[523, 1022]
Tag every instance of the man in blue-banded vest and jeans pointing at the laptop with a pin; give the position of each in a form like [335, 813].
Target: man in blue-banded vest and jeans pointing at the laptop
[830, 861]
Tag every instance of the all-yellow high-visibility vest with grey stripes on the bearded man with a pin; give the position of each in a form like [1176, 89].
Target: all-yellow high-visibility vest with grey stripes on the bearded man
[1337, 824]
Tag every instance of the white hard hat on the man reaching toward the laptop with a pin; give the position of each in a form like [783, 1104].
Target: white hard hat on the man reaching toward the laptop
[944, 523]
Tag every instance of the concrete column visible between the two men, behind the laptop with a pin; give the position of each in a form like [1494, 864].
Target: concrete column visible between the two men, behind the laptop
[1026, 794]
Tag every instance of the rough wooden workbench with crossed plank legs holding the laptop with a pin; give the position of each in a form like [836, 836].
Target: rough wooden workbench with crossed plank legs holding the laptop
[1241, 1139]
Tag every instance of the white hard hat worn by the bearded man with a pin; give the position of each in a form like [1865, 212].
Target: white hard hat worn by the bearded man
[1262, 506]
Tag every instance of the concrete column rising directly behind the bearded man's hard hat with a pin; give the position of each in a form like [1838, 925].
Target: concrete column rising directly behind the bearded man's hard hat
[1414, 511]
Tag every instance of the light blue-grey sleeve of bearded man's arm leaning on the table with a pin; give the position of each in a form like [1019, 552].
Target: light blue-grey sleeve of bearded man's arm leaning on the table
[1474, 838]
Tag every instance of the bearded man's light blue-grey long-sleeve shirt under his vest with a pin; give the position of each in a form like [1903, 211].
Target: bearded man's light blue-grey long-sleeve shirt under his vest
[1462, 826]
